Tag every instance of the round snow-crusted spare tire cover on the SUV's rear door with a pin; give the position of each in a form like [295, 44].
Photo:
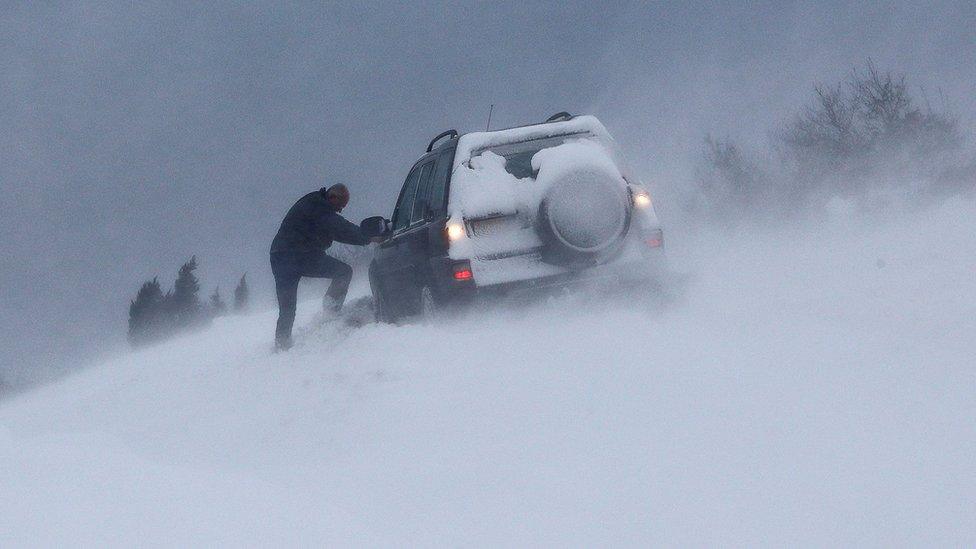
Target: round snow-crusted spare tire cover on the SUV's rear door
[583, 216]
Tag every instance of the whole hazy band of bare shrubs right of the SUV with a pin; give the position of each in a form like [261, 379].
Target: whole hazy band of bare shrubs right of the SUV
[865, 139]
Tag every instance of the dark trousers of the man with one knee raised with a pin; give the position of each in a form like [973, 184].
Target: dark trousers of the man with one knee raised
[289, 268]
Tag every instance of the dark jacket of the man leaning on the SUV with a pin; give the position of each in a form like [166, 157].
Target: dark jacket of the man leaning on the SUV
[312, 224]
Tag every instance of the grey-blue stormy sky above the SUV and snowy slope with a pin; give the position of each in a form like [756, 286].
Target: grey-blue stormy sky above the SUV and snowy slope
[133, 136]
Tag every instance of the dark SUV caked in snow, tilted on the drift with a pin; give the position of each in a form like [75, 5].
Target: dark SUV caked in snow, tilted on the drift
[499, 211]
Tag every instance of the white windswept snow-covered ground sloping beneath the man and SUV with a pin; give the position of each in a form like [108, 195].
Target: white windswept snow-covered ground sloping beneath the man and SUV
[817, 387]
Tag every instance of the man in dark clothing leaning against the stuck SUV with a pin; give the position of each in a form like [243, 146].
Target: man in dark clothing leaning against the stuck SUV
[298, 250]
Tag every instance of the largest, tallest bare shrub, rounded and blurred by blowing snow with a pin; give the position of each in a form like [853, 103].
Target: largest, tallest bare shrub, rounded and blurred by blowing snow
[866, 132]
